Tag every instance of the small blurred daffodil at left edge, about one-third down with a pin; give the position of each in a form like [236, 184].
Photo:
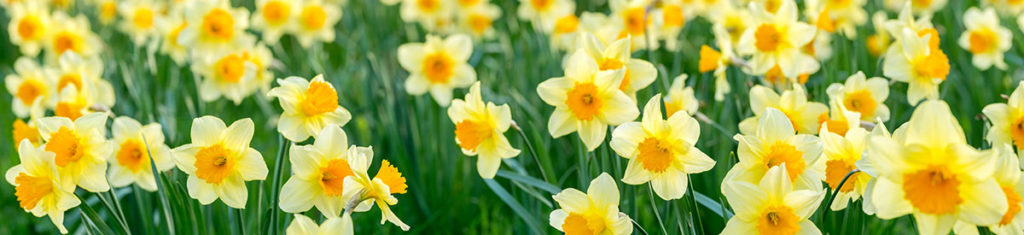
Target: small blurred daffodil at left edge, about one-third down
[31, 88]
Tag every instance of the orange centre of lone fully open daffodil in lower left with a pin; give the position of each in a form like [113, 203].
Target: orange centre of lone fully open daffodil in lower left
[214, 164]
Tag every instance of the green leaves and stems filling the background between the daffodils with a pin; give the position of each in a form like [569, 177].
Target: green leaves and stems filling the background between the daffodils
[446, 193]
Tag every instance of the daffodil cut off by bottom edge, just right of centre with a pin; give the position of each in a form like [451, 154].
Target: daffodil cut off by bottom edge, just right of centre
[593, 213]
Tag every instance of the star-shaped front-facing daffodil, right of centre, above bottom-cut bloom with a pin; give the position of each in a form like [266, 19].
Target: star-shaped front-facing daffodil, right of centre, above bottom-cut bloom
[661, 151]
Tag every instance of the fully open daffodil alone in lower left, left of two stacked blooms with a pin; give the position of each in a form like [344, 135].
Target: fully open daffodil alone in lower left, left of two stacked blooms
[220, 161]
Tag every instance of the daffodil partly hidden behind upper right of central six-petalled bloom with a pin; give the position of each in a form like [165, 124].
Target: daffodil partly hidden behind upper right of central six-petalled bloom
[639, 73]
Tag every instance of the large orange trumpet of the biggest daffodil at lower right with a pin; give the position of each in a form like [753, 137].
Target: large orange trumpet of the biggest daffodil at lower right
[933, 190]
